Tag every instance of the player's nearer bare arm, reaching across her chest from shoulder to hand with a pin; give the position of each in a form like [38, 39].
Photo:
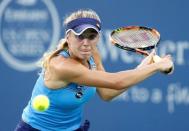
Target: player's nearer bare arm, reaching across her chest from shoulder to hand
[69, 70]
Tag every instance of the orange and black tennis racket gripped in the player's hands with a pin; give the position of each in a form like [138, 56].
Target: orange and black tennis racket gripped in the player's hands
[138, 39]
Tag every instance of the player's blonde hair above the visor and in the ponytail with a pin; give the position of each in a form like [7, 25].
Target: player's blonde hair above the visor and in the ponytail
[63, 45]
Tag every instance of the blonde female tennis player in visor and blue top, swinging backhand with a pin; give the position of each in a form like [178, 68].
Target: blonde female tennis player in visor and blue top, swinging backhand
[73, 73]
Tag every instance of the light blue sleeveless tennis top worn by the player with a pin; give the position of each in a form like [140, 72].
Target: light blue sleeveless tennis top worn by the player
[65, 110]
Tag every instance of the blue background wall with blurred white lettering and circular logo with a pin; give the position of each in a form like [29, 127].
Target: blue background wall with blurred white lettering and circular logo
[30, 27]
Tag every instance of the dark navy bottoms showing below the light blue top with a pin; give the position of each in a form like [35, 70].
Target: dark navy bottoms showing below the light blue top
[23, 126]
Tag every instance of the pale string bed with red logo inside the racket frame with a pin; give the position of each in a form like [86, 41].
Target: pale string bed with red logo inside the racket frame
[136, 38]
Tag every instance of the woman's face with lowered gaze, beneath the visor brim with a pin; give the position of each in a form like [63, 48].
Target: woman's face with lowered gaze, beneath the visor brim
[81, 46]
